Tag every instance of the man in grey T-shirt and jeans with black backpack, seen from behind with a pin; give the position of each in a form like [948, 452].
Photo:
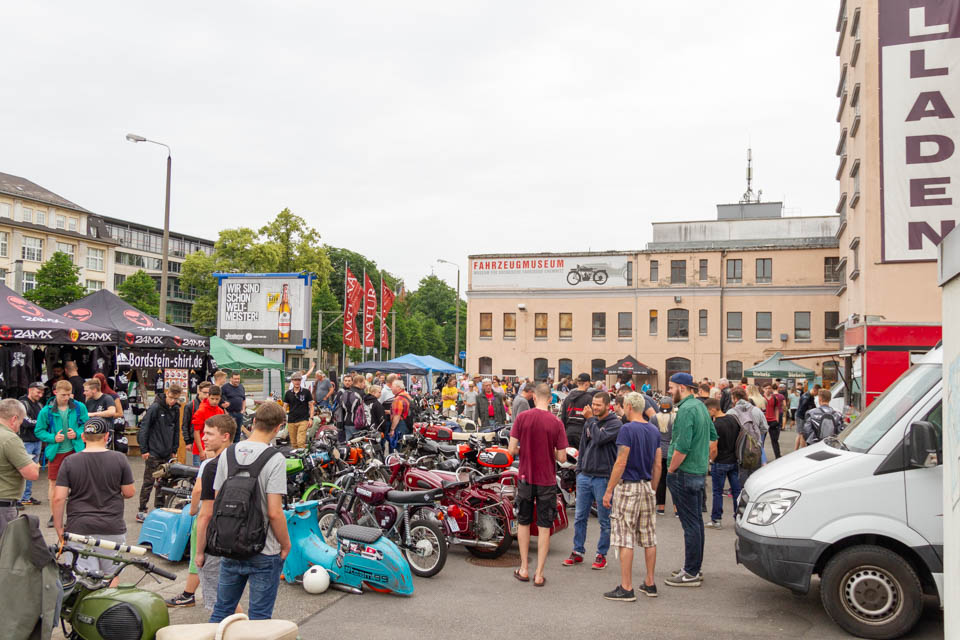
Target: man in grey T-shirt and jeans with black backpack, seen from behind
[248, 530]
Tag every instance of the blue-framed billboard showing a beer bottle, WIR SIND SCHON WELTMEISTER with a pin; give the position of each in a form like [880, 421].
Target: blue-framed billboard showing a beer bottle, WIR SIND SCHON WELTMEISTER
[270, 310]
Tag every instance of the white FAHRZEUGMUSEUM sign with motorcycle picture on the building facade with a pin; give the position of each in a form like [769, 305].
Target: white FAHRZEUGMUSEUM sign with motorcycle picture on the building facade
[587, 271]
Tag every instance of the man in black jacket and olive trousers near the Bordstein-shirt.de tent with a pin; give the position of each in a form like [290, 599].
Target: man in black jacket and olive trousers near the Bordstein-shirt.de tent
[159, 439]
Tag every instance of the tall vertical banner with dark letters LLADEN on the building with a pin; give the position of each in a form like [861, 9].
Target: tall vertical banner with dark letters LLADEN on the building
[919, 95]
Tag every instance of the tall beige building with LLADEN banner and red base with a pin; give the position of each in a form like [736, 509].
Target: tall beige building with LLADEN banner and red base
[897, 171]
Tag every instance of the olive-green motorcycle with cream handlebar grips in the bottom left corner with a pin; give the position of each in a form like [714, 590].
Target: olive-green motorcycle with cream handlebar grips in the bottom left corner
[92, 609]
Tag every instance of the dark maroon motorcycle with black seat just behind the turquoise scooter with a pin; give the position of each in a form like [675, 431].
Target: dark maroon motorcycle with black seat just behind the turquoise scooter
[377, 504]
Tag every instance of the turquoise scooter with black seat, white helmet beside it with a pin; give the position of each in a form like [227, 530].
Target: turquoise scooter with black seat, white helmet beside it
[362, 556]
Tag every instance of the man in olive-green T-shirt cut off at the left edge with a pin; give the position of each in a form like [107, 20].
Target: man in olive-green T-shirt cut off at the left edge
[16, 465]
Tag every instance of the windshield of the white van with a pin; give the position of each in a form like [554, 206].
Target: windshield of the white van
[892, 405]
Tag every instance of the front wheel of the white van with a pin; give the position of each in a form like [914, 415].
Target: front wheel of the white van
[871, 592]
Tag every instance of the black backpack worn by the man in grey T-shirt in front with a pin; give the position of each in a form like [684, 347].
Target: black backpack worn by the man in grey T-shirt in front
[238, 528]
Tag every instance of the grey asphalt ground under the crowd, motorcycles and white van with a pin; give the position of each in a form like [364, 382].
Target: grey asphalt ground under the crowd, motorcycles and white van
[470, 601]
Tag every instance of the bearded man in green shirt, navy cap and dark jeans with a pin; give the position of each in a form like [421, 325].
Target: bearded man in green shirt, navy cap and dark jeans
[693, 439]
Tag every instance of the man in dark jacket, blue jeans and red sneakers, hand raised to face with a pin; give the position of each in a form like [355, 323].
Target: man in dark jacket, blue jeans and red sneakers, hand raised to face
[598, 452]
